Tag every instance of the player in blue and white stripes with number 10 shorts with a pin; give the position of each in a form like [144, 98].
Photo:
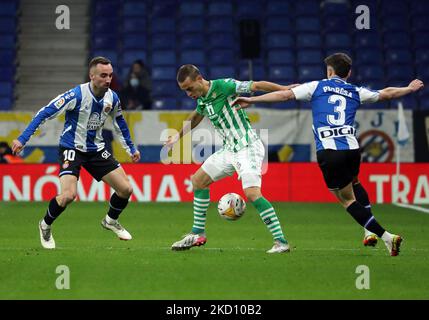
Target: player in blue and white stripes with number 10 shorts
[86, 109]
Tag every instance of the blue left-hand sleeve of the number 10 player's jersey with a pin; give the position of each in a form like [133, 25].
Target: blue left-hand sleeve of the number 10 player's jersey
[58, 105]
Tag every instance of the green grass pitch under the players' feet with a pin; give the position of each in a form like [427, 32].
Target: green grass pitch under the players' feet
[233, 264]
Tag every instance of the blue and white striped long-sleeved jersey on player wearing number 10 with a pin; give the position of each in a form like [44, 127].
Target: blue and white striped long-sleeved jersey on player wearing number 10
[84, 119]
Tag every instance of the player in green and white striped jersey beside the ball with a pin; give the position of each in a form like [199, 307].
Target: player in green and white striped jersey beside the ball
[242, 150]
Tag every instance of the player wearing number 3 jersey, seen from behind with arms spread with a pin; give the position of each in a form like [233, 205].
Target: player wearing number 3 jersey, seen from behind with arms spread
[334, 104]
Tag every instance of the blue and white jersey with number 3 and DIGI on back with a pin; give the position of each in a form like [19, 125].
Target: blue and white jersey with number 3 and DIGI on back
[334, 103]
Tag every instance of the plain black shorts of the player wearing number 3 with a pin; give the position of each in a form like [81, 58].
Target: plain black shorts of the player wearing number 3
[339, 167]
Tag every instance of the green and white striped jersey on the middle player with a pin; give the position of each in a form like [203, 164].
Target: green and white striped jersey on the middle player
[233, 125]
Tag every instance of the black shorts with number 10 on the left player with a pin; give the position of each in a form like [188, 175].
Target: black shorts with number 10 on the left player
[98, 164]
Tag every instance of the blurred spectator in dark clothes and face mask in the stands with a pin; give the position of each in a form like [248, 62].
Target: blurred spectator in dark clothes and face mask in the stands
[136, 92]
